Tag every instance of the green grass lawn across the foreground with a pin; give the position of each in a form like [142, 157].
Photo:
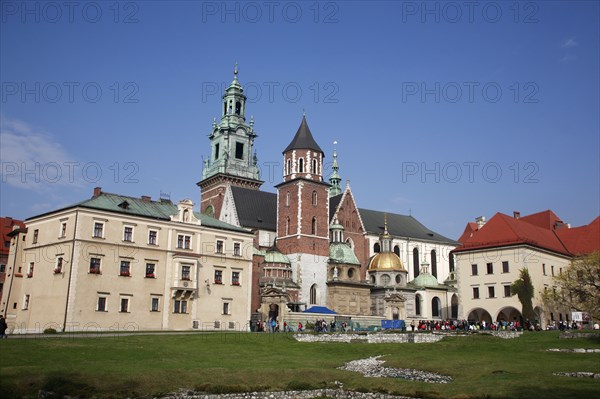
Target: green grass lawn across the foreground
[145, 365]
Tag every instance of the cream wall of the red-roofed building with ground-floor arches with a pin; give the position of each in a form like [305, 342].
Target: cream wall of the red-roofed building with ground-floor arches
[534, 260]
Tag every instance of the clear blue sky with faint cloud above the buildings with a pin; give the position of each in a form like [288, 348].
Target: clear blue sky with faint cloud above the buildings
[443, 110]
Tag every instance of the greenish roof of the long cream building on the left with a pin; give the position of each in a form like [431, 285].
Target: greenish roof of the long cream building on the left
[157, 210]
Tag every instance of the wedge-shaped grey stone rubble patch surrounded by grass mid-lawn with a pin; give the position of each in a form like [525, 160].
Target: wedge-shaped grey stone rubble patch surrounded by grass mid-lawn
[373, 367]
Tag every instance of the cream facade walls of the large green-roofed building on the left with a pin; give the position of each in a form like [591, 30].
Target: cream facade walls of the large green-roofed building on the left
[48, 289]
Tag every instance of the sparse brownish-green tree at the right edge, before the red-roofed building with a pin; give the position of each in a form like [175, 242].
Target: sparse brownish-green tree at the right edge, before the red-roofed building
[578, 287]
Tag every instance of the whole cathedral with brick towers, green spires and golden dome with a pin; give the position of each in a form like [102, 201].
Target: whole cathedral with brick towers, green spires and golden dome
[314, 248]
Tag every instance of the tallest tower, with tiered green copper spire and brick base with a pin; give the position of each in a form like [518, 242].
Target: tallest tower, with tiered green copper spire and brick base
[232, 160]
